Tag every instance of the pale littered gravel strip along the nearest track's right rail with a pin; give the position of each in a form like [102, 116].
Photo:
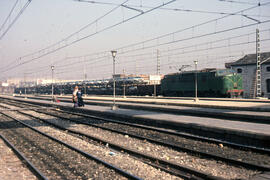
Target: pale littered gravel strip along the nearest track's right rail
[123, 161]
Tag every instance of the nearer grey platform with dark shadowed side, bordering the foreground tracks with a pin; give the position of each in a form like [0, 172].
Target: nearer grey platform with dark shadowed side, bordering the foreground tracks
[249, 133]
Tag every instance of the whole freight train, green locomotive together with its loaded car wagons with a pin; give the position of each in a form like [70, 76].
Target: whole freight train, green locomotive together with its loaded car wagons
[210, 83]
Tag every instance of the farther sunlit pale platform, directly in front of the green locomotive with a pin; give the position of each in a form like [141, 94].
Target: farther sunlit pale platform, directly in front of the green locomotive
[219, 103]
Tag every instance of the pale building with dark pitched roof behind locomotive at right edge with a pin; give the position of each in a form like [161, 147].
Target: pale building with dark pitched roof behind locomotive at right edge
[247, 67]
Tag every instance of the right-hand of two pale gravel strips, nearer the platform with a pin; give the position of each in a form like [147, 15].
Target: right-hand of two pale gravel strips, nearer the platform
[213, 167]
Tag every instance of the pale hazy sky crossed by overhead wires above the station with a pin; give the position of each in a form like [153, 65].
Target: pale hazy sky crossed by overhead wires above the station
[77, 37]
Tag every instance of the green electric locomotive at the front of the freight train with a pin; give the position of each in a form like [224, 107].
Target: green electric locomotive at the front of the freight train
[210, 83]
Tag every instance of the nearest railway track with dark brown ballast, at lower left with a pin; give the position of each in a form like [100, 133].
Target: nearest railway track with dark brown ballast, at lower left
[55, 158]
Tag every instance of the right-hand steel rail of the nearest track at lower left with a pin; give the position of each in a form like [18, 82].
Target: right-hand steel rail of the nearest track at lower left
[87, 155]
